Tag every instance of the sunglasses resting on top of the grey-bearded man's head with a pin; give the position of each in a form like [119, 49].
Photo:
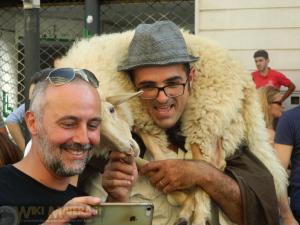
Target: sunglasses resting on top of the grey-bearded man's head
[61, 76]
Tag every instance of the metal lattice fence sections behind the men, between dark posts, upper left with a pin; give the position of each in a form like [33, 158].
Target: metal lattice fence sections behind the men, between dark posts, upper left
[62, 22]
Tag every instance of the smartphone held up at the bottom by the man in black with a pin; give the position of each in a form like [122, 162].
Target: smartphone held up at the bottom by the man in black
[123, 214]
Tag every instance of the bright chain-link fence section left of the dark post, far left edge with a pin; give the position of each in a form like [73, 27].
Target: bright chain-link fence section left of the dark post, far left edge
[11, 54]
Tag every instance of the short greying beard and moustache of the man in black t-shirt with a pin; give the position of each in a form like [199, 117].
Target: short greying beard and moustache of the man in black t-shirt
[52, 155]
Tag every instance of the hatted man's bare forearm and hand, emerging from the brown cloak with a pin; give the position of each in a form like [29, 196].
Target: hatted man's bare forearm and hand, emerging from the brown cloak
[174, 174]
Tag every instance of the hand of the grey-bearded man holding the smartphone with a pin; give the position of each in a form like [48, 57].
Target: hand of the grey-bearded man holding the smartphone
[79, 207]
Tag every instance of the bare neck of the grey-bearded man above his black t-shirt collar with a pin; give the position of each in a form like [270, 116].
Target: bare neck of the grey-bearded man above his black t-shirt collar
[33, 166]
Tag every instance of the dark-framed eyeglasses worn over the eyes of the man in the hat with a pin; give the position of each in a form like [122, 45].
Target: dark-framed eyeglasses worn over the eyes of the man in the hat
[171, 90]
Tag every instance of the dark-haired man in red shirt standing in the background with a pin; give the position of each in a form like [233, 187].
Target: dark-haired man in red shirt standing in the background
[265, 76]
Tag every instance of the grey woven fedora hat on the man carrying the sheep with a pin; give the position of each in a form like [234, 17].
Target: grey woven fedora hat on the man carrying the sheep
[160, 43]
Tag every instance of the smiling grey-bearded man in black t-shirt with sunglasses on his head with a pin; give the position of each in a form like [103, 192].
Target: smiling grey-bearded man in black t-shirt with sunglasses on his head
[64, 122]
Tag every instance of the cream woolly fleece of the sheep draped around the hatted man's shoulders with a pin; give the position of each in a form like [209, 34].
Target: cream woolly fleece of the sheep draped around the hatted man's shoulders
[223, 104]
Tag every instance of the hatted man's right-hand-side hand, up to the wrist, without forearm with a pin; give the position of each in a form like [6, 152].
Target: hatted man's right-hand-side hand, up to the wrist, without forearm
[171, 174]
